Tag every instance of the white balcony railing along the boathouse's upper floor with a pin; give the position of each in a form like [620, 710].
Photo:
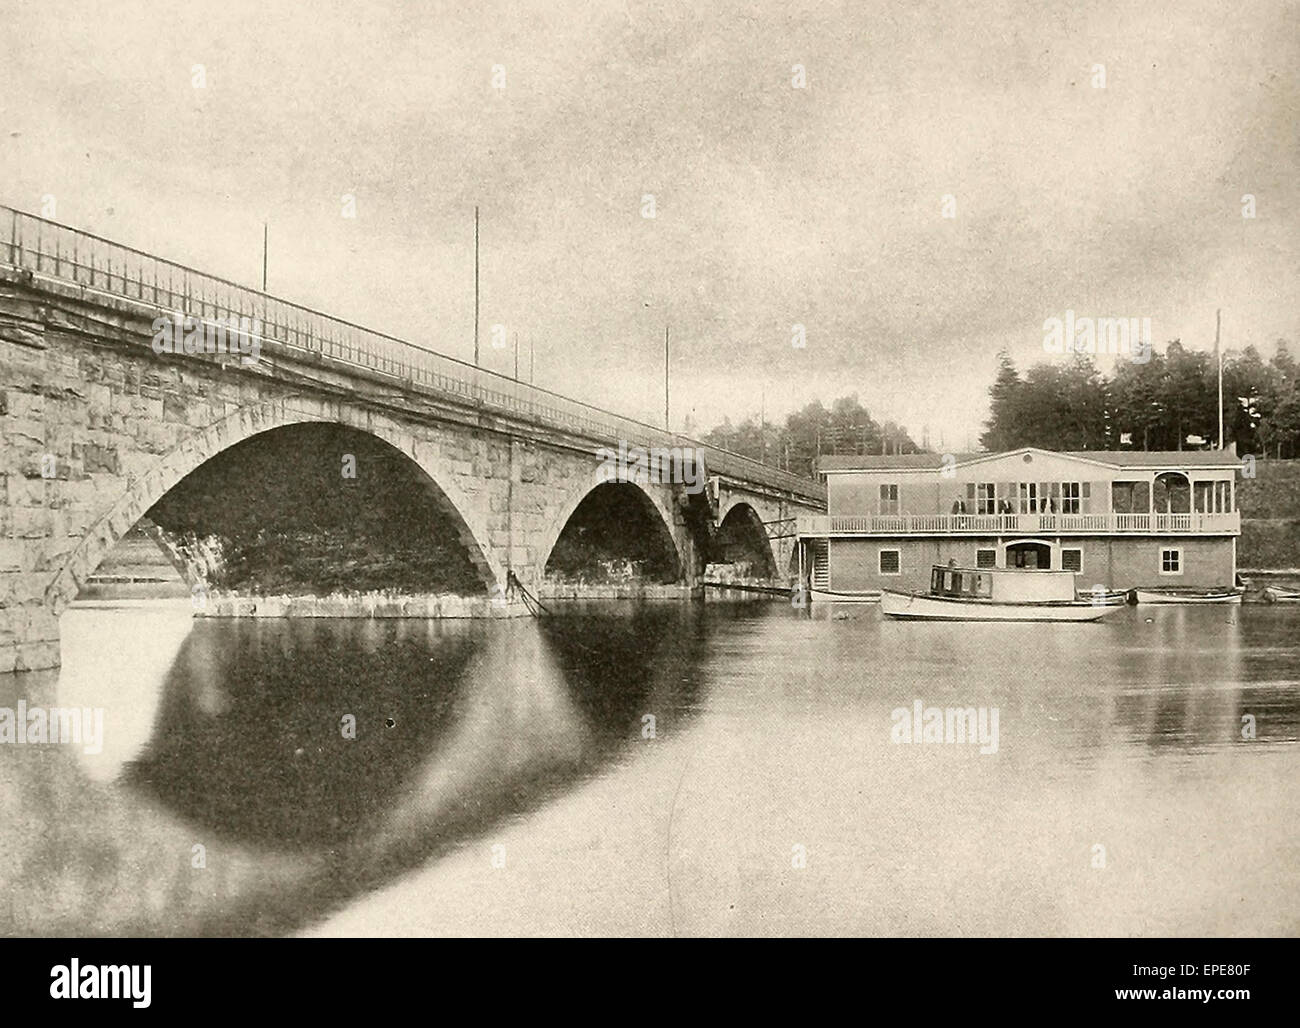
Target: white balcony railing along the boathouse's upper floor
[1029, 524]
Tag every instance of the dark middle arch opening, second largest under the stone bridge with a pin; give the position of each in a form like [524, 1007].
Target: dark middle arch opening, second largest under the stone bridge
[616, 533]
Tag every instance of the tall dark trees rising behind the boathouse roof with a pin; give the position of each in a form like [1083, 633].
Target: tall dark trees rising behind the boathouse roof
[1165, 404]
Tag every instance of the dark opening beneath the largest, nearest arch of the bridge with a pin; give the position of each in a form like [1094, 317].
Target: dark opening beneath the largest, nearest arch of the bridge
[306, 509]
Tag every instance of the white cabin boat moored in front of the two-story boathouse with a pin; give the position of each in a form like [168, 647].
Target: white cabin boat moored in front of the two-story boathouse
[998, 595]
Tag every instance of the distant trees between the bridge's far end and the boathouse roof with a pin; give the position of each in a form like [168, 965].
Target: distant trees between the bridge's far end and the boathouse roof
[846, 428]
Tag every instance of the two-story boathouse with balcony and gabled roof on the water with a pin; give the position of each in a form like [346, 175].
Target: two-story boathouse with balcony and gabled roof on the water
[1117, 519]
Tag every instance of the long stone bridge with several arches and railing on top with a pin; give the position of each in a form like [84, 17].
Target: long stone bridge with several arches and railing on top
[98, 427]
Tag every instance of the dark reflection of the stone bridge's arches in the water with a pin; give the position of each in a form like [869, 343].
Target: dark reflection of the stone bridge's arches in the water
[240, 749]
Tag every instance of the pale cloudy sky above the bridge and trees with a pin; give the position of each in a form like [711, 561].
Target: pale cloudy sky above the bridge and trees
[799, 155]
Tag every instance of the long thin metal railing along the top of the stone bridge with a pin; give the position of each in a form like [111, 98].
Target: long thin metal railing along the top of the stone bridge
[71, 255]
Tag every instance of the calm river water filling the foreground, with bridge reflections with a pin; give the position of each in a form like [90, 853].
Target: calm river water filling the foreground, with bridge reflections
[709, 769]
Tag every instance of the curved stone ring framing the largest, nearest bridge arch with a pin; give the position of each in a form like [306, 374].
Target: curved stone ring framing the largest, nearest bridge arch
[148, 489]
